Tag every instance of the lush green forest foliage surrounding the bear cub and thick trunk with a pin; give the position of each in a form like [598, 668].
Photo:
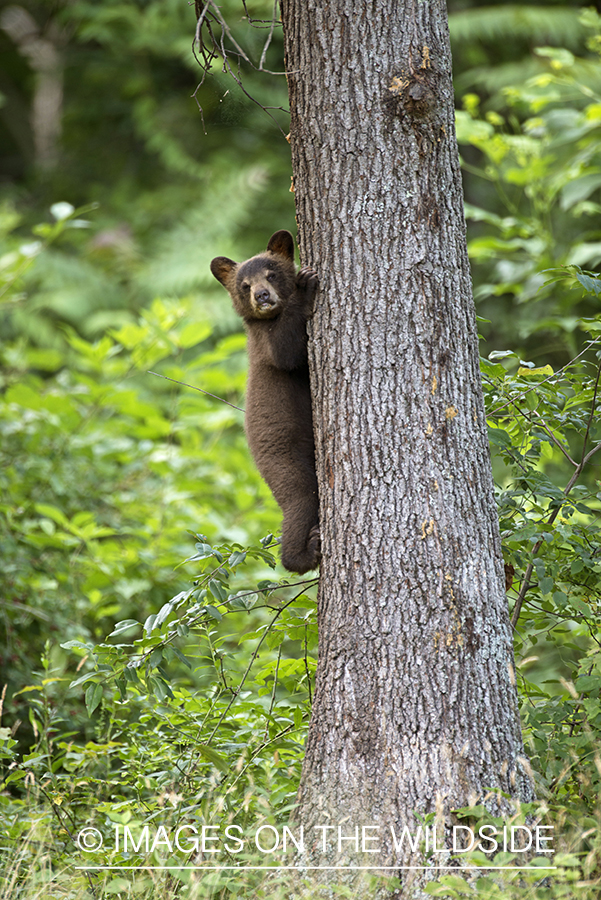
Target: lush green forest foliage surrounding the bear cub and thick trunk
[158, 668]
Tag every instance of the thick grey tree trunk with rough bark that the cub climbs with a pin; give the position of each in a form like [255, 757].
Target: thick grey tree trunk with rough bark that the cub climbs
[415, 705]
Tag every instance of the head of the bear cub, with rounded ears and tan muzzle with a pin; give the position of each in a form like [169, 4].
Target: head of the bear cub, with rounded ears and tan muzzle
[260, 286]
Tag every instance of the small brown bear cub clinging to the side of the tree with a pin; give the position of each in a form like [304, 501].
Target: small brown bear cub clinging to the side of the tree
[275, 302]
